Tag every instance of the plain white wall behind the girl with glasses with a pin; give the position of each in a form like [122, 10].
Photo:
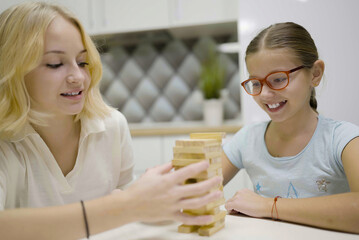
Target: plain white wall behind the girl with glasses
[334, 27]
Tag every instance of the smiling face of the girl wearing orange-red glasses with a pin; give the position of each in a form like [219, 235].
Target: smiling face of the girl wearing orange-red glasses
[286, 103]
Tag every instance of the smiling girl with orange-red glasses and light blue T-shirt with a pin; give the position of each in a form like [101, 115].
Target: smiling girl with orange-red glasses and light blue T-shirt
[304, 167]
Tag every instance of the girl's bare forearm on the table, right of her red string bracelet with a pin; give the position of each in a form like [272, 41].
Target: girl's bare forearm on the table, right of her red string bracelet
[337, 212]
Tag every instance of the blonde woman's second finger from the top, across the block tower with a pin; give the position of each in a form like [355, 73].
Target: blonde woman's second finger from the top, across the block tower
[199, 188]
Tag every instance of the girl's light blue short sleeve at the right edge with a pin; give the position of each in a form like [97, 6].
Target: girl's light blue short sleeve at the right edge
[343, 133]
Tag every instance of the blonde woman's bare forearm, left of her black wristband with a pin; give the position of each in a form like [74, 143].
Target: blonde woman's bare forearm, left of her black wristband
[60, 222]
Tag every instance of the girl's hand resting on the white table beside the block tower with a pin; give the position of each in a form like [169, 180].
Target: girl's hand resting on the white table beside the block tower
[247, 202]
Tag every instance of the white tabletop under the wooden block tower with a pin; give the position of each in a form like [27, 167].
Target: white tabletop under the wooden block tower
[236, 227]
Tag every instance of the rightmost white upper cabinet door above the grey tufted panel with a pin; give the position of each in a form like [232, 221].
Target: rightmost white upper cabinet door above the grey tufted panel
[196, 12]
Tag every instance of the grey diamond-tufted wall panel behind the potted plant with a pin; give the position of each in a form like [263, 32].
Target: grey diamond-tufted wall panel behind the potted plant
[148, 83]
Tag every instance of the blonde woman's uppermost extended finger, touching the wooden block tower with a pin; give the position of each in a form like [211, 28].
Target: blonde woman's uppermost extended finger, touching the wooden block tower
[189, 171]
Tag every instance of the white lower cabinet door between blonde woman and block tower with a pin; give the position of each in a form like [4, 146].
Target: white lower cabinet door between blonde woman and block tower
[147, 153]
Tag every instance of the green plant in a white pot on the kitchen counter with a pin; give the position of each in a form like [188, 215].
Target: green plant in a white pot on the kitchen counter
[211, 83]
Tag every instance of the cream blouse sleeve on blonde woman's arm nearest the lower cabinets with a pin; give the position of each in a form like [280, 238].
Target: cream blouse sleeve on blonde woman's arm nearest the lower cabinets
[127, 156]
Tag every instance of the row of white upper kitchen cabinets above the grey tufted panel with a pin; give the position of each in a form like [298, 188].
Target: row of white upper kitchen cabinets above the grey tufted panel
[118, 16]
